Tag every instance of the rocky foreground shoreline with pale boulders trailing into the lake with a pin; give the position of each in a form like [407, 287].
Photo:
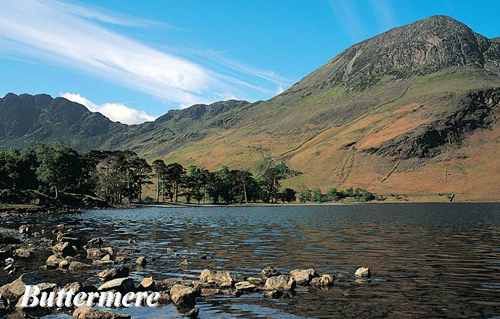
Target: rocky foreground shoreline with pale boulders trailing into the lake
[61, 258]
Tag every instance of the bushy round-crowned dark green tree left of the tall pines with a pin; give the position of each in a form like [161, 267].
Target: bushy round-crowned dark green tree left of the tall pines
[59, 166]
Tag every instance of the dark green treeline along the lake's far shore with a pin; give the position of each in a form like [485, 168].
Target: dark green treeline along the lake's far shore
[54, 175]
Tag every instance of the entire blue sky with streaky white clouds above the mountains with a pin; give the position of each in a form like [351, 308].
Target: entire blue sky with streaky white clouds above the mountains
[135, 60]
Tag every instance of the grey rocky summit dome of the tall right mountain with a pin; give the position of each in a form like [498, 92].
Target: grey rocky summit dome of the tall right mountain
[423, 47]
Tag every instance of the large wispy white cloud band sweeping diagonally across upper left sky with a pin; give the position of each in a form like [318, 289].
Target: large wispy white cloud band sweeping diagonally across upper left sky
[69, 35]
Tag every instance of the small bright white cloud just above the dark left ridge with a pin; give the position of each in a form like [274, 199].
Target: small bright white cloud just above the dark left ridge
[117, 112]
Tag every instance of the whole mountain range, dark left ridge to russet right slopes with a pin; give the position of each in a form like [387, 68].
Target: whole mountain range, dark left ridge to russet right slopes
[411, 111]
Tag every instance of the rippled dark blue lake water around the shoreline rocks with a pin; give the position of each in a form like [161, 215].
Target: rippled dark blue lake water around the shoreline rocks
[428, 260]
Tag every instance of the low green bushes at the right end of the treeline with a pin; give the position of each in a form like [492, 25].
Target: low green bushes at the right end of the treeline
[334, 195]
